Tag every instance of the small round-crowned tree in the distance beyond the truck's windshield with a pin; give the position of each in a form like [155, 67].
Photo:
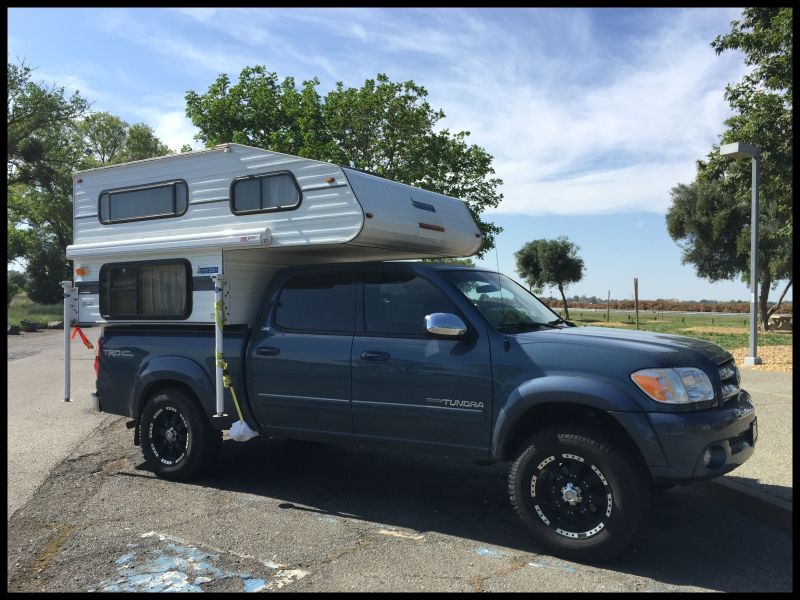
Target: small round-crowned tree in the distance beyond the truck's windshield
[550, 263]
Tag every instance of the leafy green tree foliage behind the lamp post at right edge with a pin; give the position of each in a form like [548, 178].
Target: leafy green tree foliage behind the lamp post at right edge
[710, 218]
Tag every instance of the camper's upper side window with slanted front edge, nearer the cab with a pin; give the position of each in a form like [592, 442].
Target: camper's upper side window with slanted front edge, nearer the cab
[262, 193]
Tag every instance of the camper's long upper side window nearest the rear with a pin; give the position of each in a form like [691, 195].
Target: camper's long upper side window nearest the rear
[169, 199]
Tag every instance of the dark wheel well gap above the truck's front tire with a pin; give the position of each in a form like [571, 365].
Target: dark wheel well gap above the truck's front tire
[544, 415]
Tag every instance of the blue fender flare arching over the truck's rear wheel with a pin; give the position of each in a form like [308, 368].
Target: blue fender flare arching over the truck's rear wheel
[172, 368]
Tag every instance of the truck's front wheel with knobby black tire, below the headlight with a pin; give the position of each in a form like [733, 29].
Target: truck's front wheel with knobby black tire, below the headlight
[577, 494]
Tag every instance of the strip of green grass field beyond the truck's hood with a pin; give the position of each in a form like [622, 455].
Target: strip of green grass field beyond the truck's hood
[728, 331]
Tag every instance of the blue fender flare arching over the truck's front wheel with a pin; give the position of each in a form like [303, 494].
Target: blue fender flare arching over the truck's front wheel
[602, 395]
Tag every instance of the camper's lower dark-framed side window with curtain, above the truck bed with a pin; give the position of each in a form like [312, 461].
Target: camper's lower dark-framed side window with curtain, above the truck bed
[145, 290]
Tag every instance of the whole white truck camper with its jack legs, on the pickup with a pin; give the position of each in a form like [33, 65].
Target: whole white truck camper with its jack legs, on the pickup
[156, 240]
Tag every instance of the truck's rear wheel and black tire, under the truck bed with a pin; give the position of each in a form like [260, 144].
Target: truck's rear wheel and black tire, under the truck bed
[176, 437]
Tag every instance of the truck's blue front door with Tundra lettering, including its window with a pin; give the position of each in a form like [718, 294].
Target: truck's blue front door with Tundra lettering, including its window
[411, 388]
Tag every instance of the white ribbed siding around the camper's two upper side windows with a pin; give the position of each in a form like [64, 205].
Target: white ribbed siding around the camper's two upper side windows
[328, 212]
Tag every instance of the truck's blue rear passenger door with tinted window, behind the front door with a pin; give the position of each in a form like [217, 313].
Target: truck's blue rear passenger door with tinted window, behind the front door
[299, 359]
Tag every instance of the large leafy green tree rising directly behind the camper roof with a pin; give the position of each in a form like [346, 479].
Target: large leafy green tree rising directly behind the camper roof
[384, 127]
